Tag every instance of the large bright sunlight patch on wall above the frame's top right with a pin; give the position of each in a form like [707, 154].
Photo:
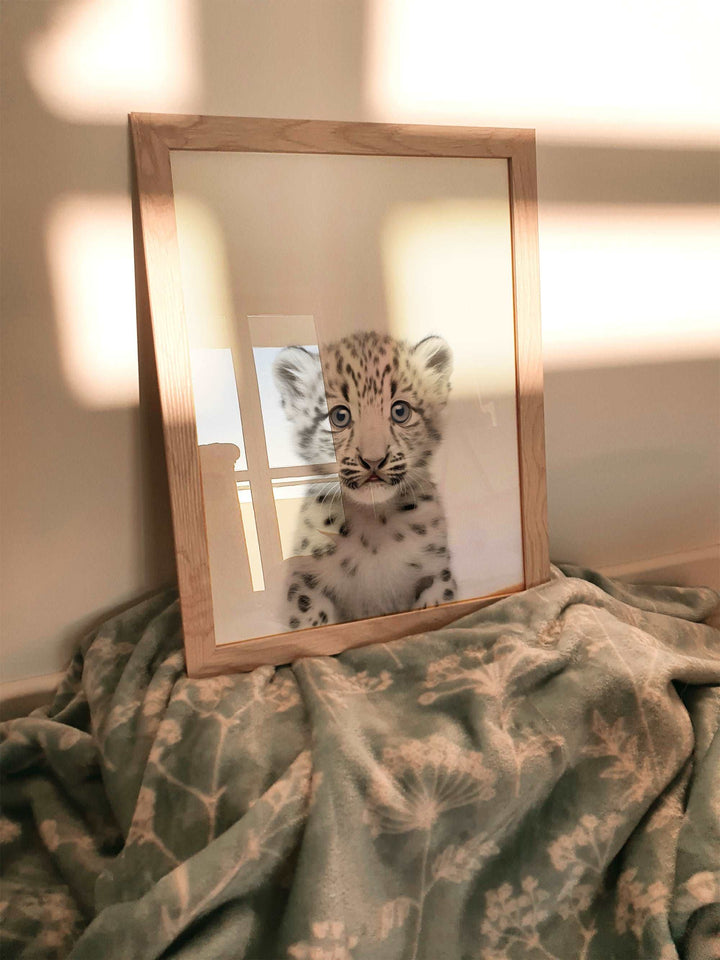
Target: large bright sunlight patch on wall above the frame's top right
[642, 71]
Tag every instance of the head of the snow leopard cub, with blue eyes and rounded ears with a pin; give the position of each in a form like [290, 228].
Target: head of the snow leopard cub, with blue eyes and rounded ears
[384, 399]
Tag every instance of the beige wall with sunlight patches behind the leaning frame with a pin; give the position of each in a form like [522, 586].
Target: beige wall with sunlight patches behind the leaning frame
[628, 185]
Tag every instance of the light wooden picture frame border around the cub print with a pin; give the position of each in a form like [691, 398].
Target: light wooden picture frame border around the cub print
[155, 139]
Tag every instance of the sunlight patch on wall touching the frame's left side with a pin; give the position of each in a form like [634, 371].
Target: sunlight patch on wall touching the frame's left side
[91, 265]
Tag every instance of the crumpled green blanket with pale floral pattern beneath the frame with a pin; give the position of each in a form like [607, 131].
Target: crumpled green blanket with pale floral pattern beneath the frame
[539, 780]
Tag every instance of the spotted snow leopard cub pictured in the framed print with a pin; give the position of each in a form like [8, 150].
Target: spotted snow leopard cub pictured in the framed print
[377, 543]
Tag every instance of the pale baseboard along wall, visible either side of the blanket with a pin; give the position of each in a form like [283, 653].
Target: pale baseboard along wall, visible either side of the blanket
[693, 568]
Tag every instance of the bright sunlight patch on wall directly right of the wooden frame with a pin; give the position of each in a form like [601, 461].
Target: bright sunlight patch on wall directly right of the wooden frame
[628, 285]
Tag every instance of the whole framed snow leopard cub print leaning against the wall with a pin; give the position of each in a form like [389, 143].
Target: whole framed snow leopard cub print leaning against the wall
[347, 337]
